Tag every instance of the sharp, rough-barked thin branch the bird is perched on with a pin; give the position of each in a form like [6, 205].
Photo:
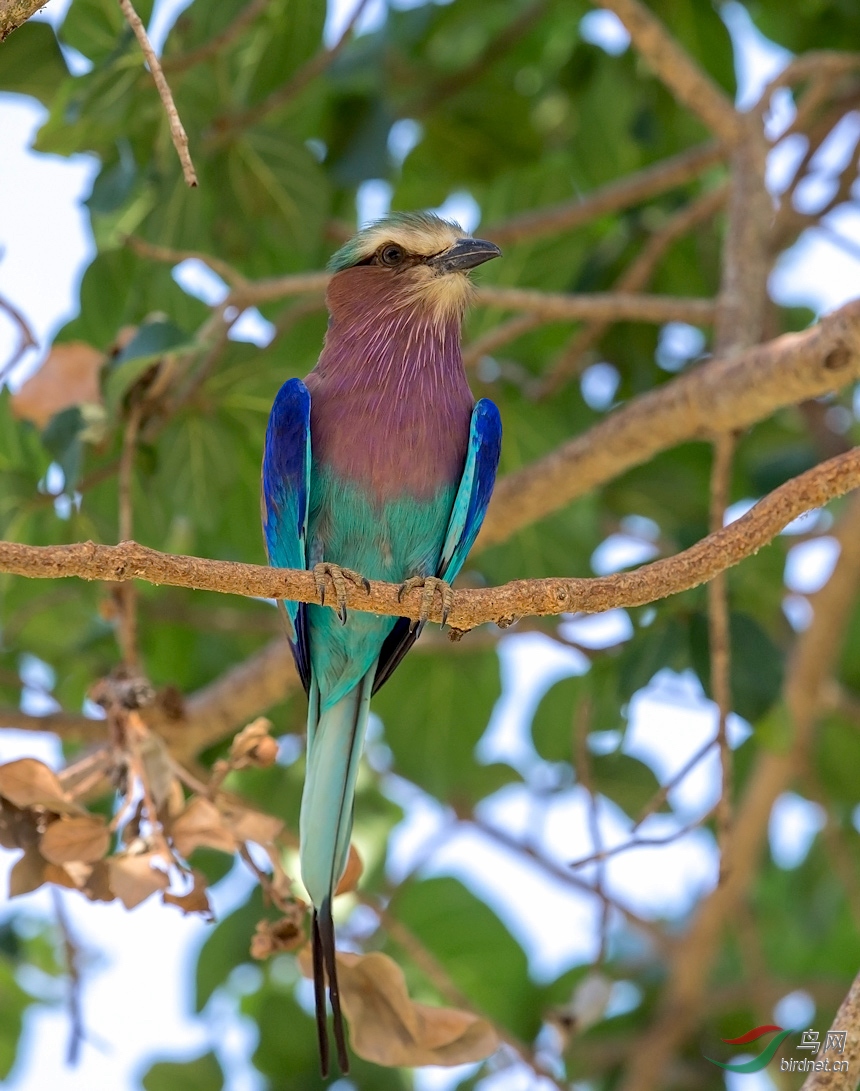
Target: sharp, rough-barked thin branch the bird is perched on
[473, 606]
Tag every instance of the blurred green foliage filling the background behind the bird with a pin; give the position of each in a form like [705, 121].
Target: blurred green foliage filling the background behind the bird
[512, 107]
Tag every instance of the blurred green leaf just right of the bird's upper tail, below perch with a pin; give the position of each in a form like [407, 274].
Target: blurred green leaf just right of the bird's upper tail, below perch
[435, 710]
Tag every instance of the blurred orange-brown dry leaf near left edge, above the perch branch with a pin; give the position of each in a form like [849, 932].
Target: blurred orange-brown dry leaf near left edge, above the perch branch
[69, 377]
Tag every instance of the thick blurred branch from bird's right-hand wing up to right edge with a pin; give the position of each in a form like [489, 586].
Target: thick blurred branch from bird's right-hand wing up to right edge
[719, 395]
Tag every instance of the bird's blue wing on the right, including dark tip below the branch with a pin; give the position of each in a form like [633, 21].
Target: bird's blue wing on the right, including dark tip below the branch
[467, 519]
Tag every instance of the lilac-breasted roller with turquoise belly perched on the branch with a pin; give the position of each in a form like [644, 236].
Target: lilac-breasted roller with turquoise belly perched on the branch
[380, 465]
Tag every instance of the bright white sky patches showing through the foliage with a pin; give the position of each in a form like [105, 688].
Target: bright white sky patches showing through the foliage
[146, 957]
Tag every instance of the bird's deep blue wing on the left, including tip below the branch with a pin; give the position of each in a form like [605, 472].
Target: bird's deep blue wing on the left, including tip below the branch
[285, 493]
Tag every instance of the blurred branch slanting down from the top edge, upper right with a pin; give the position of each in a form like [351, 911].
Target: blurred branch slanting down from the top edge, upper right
[690, 85]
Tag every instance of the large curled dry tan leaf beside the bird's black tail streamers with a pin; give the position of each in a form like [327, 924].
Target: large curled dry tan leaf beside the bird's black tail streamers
[389, 1028]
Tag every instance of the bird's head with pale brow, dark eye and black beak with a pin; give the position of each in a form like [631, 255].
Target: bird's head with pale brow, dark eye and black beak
[414, 260]
